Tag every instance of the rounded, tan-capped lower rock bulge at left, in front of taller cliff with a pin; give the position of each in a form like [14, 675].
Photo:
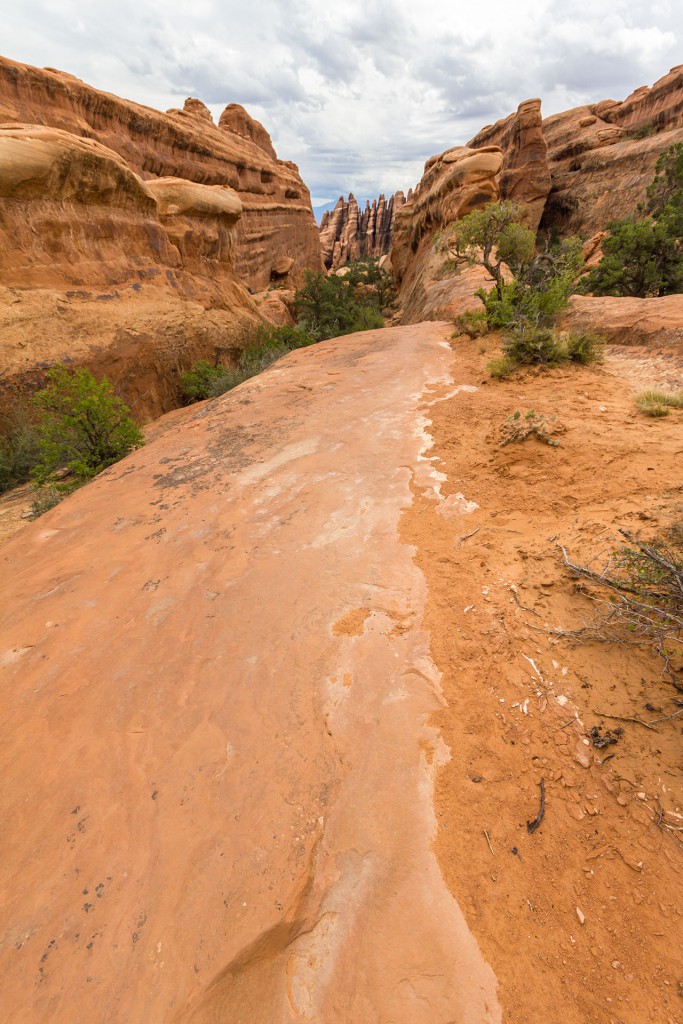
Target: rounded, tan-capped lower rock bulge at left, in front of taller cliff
[133, 279]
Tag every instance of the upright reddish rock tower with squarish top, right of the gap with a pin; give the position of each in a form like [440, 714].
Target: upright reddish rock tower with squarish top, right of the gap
[525, 174]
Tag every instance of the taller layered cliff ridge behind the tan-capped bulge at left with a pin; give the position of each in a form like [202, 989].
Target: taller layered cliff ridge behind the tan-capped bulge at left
[278, 220]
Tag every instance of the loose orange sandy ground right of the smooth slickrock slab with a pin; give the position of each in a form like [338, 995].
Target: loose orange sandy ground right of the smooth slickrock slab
[581, 920]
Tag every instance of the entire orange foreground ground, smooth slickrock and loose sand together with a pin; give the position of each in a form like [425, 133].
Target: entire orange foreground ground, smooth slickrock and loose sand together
[314, 632]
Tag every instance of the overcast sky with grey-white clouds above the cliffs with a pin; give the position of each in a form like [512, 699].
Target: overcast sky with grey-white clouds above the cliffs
[359, 93]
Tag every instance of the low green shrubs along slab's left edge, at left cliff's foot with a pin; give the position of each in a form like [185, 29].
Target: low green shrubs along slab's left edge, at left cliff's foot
[264, 347]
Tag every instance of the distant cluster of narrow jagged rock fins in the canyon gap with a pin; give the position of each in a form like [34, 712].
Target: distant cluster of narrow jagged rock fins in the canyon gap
[349, 235]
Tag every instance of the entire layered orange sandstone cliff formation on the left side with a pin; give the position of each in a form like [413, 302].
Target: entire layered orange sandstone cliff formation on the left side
[131, 237]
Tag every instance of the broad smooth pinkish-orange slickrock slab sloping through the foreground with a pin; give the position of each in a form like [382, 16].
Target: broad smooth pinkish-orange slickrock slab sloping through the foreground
[217, 751]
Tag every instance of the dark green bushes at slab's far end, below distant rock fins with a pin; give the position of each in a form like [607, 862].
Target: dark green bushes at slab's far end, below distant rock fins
[330, 307]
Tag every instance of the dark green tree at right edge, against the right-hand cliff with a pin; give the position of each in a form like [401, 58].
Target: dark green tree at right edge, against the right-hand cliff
[645, 258]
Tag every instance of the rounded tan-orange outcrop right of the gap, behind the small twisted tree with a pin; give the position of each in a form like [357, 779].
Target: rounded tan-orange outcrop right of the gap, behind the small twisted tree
[454, 184]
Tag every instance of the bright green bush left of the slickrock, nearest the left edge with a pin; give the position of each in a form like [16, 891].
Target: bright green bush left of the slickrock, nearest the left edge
[84, 426]
